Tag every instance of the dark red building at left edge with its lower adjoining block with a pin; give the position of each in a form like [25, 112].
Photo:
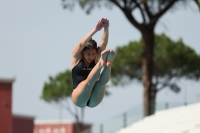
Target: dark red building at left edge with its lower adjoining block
[12, 123]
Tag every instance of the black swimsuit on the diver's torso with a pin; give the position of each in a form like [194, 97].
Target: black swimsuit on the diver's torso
[80, 72]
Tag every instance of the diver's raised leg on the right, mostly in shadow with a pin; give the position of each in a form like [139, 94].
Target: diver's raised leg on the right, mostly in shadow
[99, 88]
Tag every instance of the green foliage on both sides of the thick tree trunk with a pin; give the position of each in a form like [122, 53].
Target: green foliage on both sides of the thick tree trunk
[172, 60]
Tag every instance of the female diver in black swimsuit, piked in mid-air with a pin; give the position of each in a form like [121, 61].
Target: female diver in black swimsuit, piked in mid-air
[87, 61]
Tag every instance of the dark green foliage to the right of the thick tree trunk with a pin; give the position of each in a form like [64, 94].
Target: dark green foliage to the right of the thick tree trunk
[175, 59]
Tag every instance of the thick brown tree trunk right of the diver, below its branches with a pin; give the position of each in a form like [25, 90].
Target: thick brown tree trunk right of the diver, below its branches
[147, 67]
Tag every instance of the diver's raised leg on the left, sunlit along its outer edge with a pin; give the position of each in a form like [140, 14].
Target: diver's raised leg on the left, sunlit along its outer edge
[82, 92]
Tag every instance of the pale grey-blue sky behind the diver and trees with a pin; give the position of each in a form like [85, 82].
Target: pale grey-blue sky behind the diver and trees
[36, 40]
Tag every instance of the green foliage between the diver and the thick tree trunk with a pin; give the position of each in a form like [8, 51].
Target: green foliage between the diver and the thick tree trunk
[127, 64]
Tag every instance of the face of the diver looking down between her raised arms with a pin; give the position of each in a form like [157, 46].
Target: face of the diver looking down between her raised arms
[89, 55]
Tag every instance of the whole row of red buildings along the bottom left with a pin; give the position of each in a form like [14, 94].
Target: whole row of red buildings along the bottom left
[14, 123]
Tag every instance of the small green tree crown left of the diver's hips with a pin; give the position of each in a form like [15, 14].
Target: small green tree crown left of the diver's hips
[58, 87]
